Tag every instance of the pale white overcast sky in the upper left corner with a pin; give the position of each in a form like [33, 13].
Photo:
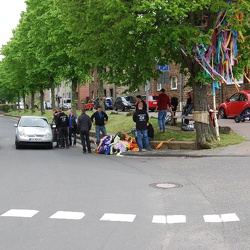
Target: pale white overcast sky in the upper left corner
[10, 11]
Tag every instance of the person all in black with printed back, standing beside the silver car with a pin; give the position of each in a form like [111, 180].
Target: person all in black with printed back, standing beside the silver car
[62, 126]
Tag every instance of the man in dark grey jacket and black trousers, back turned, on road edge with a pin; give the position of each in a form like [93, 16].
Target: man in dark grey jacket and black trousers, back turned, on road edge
[84, 124]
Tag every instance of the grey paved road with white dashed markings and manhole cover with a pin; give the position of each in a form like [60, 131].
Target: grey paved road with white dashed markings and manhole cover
[62, 199]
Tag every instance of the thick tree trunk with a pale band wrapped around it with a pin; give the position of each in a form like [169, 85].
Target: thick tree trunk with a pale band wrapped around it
[205, 132]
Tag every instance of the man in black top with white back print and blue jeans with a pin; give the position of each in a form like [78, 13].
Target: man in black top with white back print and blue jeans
[141, 118]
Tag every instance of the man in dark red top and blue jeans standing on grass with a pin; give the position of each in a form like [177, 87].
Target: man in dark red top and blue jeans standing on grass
[162, 106]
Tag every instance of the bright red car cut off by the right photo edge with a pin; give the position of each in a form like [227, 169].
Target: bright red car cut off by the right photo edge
[235, 104]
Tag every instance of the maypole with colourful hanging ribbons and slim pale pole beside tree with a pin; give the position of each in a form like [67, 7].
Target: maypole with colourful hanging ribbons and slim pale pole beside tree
[221, 56]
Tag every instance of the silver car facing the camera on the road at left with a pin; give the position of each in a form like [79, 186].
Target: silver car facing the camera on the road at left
[33, 131]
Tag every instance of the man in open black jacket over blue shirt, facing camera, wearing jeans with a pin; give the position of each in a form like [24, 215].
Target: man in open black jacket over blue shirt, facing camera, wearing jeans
[99, 119]
